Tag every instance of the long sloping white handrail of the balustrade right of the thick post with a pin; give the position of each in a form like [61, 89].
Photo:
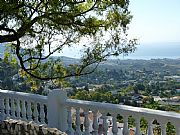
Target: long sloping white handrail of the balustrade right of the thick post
[124, 109]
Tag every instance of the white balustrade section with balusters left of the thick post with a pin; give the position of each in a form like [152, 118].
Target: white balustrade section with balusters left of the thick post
[24, 106]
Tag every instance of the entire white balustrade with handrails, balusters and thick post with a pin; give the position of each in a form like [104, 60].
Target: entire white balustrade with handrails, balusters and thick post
[63, 113]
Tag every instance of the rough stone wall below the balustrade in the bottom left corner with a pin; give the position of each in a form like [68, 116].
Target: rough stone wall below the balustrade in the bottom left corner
[18, 127]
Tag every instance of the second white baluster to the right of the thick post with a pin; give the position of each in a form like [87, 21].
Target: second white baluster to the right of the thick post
[78, 123]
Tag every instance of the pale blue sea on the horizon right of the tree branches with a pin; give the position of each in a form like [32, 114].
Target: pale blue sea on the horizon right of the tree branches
[170, 50]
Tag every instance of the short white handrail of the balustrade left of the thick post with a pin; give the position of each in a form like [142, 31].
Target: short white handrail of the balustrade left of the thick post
[26, 96]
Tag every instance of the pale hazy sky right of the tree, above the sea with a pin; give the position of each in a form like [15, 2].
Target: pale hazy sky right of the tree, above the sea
[155, 20]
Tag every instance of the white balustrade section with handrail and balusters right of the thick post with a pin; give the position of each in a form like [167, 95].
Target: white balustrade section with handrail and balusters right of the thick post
[126, 111]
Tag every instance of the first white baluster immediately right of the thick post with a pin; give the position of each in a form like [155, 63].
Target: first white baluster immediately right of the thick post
[70, 130]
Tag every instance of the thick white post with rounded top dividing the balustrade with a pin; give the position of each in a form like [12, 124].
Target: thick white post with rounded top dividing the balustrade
[57, 112]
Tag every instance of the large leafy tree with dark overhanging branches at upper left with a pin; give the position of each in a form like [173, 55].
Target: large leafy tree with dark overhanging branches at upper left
[36, 29]
